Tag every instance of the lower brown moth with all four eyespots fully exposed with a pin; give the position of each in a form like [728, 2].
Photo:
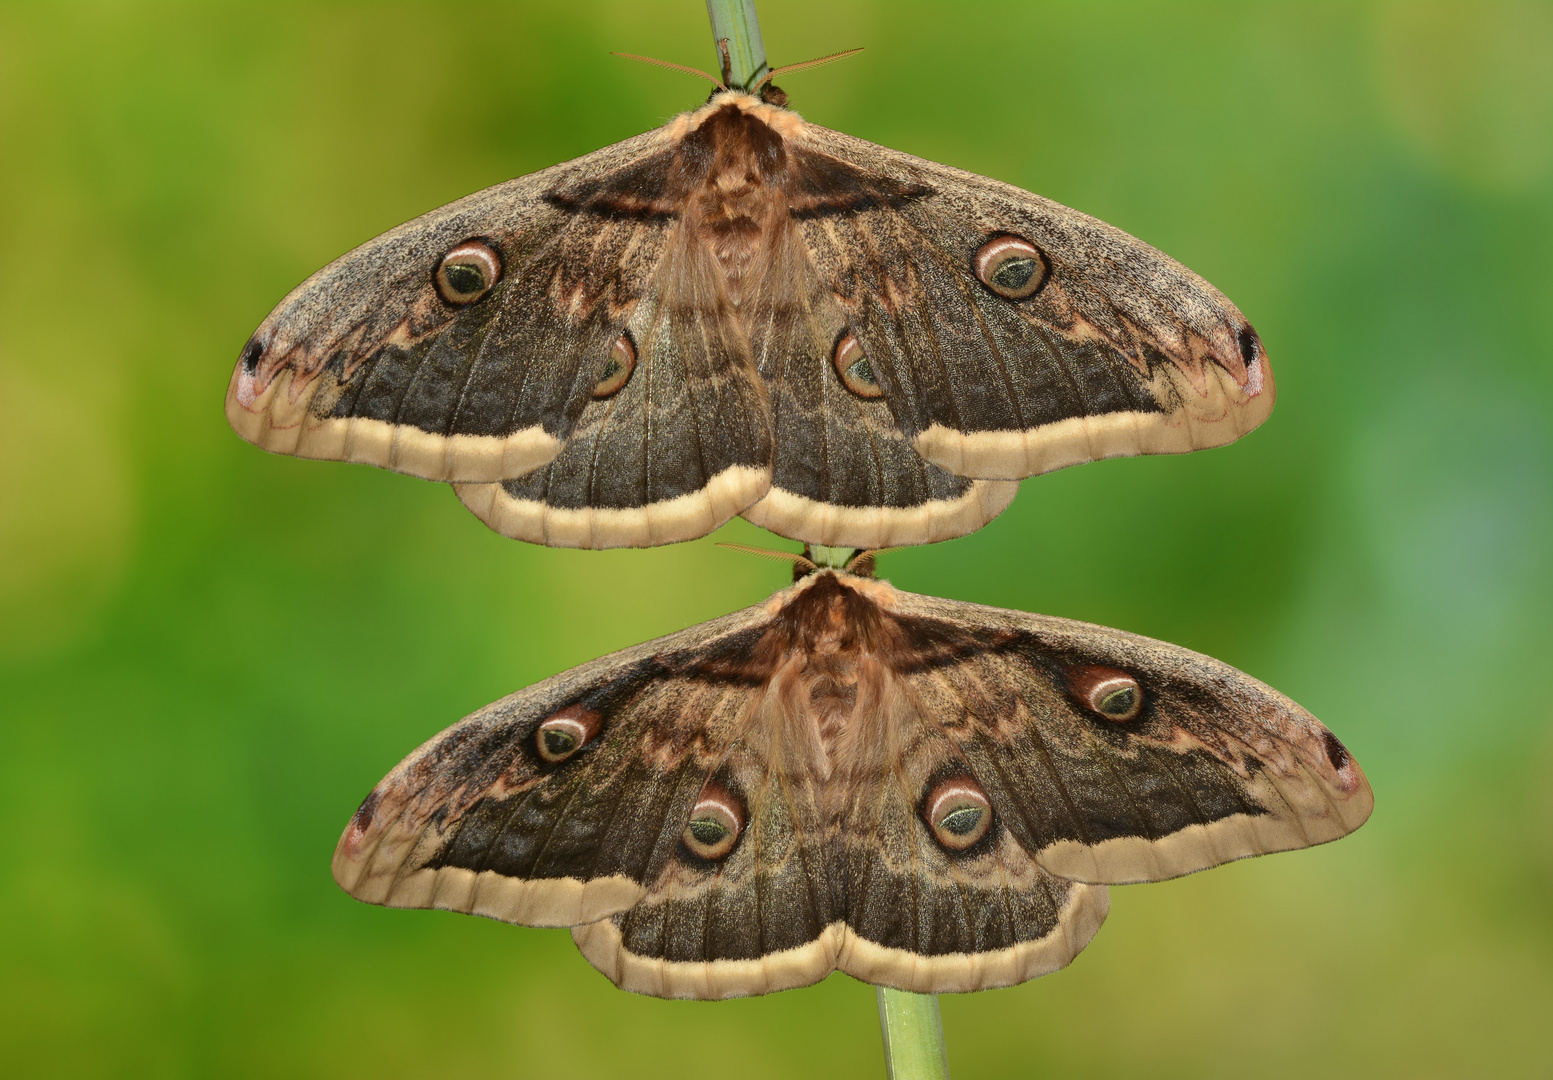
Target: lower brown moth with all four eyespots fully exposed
[926, 795]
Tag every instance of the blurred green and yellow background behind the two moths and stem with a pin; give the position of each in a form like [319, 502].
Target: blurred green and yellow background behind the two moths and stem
[209, 655]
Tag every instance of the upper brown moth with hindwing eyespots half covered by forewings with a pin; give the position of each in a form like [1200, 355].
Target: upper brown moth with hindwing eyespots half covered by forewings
[745, 313]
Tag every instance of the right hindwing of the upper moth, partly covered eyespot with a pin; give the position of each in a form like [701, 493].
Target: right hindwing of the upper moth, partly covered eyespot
[844, 473]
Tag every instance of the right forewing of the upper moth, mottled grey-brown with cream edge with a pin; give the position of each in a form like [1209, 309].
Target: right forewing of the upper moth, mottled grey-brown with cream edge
[1119, 350]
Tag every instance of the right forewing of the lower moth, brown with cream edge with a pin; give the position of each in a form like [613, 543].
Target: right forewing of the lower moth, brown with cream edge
[1193, 765]
